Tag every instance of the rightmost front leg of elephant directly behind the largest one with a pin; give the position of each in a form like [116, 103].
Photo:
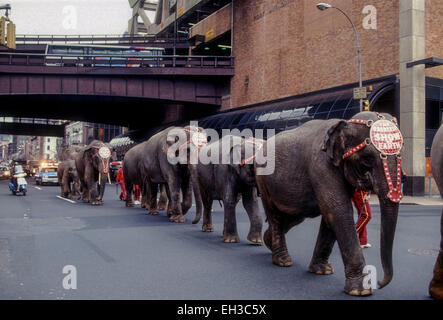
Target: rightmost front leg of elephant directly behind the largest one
[251, 206]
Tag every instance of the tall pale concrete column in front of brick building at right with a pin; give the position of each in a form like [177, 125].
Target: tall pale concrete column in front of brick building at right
[412, 93]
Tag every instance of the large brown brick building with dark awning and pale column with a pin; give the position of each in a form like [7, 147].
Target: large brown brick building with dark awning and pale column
[294, 62]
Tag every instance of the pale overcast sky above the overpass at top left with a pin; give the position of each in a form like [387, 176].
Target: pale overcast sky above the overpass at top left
[69, 16]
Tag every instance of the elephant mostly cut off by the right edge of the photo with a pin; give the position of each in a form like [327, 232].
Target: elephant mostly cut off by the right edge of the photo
[436, 285]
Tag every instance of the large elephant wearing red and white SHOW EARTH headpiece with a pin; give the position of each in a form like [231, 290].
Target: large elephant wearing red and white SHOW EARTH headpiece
[318, 166]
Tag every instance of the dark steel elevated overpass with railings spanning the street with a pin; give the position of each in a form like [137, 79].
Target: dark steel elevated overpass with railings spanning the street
[134, 91]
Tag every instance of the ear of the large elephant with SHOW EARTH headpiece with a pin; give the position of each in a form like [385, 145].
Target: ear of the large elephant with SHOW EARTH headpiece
[334, 143]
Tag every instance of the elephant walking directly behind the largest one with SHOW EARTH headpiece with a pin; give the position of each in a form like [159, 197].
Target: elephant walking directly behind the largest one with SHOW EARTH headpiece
[227, 182]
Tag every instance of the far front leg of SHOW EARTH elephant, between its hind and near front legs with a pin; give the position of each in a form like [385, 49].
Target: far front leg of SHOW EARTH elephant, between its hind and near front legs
[323, 248]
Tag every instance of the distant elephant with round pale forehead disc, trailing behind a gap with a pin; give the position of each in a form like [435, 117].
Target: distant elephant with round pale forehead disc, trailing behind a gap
[92, 164]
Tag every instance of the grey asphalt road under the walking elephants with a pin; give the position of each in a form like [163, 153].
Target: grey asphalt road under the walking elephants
[123, 253]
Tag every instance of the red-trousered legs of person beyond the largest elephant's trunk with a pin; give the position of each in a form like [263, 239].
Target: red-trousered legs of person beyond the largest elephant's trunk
[361, 202]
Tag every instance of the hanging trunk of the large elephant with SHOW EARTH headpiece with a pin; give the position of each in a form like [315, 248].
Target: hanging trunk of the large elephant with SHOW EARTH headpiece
[389, 214]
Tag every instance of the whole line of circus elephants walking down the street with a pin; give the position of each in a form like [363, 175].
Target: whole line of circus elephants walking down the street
[318, 166]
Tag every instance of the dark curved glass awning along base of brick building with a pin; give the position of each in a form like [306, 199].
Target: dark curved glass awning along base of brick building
[291, 112]
